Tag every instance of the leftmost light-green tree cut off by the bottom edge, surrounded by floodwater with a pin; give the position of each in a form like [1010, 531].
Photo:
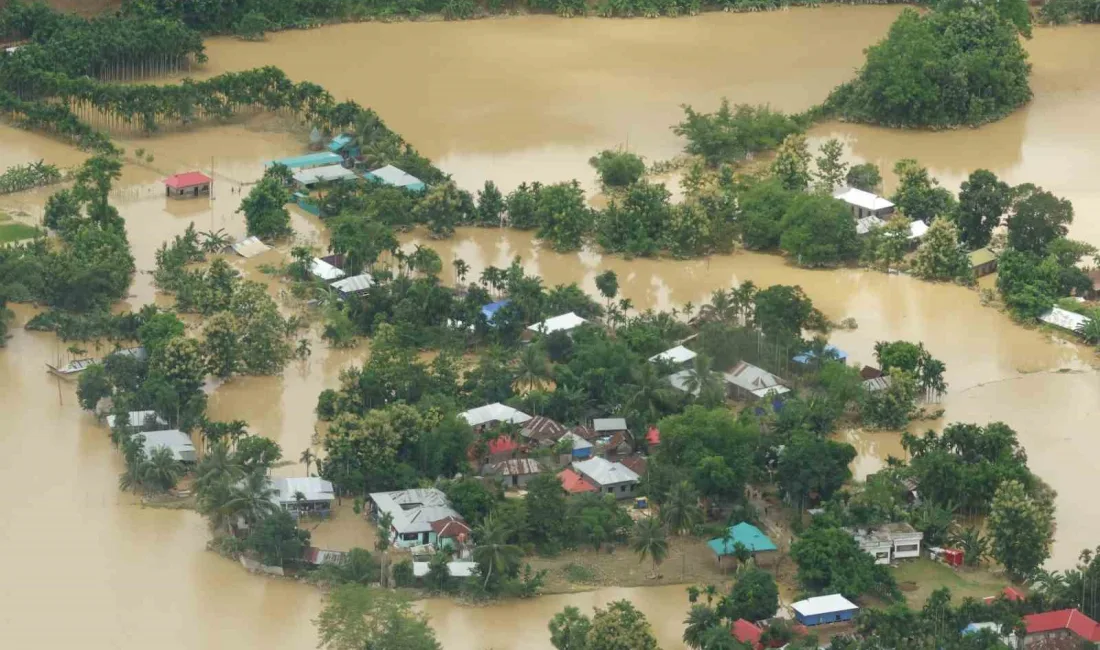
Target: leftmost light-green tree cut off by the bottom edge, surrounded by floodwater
[356, 618]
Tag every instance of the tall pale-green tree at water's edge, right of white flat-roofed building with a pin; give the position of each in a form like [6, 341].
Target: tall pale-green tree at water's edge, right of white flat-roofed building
[1022, 527]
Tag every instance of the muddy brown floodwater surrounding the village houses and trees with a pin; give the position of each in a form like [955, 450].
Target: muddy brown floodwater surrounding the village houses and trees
[514, 101]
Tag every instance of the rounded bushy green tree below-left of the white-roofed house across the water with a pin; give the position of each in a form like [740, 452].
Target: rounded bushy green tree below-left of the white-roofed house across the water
[819, 232]
